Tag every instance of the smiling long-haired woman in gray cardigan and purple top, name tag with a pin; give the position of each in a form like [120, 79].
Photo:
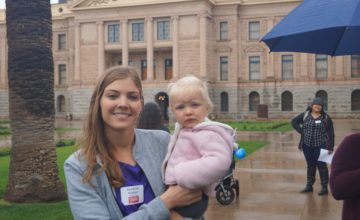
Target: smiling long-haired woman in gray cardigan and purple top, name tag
[117, 172]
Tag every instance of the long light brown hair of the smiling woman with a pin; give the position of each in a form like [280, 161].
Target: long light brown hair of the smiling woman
[93, 142]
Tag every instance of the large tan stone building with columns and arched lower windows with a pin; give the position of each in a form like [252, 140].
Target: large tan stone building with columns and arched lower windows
[217, 40]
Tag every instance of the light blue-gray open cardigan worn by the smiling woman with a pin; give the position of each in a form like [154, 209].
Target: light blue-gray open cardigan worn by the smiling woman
[99, 203]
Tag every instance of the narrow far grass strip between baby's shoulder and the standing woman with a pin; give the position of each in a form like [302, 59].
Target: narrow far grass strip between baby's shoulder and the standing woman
[260, 126]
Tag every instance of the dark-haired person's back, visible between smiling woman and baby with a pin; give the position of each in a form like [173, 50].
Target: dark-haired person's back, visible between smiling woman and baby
[151, 117]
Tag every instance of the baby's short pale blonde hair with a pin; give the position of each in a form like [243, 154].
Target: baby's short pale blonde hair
[187, 85]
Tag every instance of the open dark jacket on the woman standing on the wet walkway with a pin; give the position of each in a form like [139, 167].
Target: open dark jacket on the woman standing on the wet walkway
[298, 123]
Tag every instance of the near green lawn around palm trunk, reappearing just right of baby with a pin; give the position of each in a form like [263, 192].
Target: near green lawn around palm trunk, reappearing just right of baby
[58, 210]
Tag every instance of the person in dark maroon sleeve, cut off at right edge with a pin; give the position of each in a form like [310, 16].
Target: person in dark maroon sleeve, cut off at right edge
[345, 176]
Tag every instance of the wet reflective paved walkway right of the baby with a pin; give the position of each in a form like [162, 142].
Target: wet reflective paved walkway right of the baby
[271, 178]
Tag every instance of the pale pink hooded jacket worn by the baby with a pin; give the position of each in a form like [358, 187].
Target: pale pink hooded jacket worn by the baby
[197, 158]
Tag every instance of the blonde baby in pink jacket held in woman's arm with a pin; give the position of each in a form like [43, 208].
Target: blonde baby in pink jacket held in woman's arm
[200, 150]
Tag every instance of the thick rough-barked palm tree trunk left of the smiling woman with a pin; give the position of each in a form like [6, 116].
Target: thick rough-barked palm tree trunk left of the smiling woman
[33, 174]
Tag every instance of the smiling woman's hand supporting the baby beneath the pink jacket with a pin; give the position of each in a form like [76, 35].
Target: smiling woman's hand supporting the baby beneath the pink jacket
[176, 196]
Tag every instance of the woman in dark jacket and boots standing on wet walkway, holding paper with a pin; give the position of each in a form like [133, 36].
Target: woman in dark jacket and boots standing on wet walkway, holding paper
[317, 132]
